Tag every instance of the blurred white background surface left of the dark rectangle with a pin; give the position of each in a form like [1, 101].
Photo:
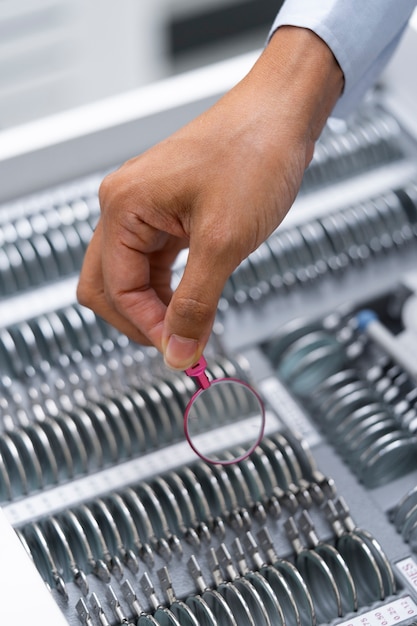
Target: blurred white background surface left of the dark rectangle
[59, 54]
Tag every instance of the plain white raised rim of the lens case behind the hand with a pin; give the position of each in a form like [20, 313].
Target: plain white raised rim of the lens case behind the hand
[100, 136]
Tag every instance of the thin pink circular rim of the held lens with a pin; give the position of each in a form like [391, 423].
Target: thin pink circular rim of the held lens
[257, 441]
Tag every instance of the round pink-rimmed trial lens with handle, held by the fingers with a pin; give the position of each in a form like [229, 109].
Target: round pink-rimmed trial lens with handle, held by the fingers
[223, 414]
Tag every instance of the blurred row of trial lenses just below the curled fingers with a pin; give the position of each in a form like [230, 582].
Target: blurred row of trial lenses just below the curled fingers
[65, 355]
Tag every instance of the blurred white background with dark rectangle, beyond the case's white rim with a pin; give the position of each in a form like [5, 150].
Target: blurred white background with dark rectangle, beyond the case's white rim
[59, 54]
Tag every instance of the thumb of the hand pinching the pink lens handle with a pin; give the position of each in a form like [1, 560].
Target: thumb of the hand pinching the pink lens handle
[191, 312]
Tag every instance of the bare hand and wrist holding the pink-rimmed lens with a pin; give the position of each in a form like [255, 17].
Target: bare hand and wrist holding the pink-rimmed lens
[218, 186]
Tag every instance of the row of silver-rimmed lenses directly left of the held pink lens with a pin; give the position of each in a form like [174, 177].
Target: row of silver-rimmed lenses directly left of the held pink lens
[83, 440]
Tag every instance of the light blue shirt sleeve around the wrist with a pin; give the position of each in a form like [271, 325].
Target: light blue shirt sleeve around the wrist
[362, 35]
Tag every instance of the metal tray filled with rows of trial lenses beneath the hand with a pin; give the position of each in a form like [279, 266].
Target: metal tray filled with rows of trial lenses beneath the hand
[122, 522]
